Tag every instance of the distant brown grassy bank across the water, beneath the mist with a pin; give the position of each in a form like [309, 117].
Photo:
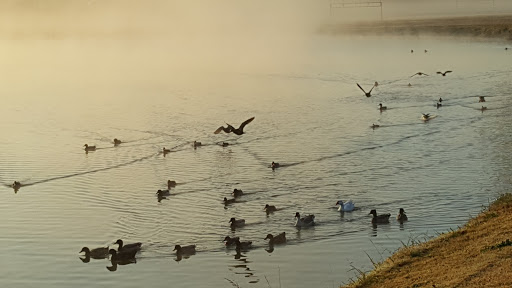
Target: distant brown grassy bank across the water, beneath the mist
[476, 26]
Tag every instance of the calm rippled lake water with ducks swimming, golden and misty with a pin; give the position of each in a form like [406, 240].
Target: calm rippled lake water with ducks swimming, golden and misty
[58, 94]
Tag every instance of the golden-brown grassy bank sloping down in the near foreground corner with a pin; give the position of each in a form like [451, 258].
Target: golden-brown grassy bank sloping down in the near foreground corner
[476, 255]
